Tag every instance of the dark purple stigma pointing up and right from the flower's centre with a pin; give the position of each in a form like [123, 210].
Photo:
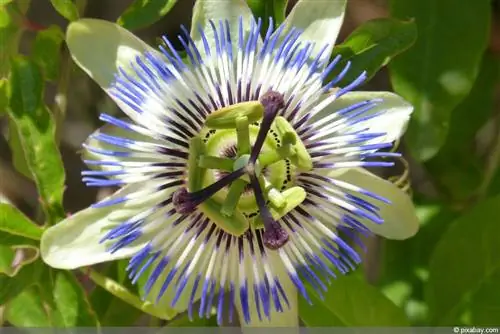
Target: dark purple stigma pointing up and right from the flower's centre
[272, 102]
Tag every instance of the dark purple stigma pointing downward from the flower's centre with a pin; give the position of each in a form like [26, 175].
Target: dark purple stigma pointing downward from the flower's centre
[274, 235]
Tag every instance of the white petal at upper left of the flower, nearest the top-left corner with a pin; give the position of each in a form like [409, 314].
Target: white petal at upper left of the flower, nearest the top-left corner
[100, 47]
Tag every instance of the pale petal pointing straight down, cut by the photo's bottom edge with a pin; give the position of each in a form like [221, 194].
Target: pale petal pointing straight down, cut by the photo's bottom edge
[289, 317]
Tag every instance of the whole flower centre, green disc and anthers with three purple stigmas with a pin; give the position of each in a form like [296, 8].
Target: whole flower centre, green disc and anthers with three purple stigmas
[241, 167]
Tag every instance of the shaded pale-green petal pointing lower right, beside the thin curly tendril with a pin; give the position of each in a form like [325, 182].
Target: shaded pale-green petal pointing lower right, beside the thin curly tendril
[400, 219]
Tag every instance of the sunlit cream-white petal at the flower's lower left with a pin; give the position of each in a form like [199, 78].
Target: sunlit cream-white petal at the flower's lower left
[74, 242]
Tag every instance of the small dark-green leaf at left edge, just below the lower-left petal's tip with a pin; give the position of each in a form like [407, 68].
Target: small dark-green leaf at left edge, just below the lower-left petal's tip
[27, 276]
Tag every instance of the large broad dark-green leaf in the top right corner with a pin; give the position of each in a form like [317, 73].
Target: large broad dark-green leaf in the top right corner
[440, 69]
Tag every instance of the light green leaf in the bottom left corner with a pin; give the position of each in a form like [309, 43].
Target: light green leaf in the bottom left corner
[28, 310]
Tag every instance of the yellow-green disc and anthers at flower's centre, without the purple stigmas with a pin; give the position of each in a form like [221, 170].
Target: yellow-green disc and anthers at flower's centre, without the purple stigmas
[217, 148]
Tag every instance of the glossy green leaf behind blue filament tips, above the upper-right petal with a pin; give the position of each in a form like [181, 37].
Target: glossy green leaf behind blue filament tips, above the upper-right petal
[372, 45]
